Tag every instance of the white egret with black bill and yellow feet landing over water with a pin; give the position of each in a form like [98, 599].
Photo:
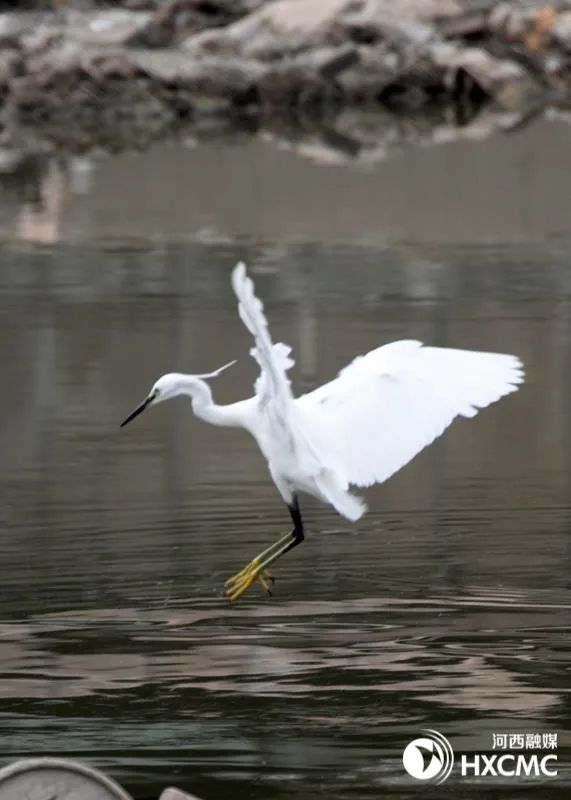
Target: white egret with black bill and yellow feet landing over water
[358, 429]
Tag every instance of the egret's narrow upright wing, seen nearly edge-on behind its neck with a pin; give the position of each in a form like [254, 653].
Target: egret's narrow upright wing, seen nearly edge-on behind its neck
[273, 386]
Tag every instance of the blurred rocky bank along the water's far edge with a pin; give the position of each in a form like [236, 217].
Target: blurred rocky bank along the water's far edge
[184, 62]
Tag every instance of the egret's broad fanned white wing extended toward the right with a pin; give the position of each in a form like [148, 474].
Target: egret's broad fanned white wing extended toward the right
[386, 406]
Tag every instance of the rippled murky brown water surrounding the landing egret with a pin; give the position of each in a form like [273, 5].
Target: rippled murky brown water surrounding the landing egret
[446, 607]
